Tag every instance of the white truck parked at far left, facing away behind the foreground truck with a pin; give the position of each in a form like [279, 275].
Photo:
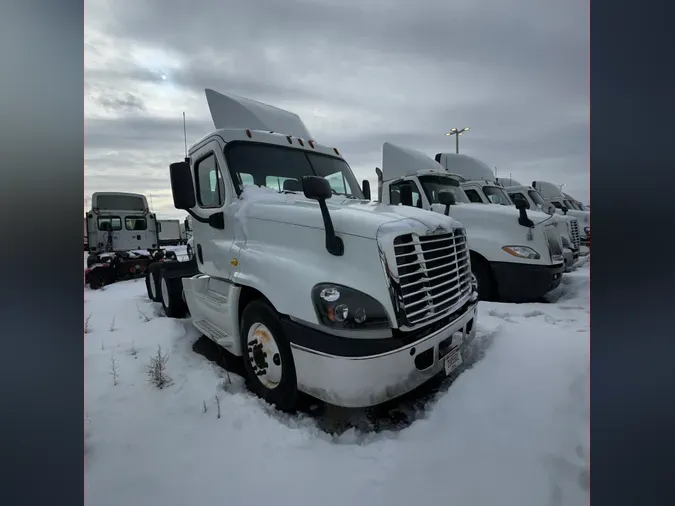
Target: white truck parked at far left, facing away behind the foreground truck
[122, 238]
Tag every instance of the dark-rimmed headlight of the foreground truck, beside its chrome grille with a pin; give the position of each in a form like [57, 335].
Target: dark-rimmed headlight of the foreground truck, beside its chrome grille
[340, 307]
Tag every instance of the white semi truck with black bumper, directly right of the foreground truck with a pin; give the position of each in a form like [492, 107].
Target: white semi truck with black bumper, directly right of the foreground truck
[516, 256]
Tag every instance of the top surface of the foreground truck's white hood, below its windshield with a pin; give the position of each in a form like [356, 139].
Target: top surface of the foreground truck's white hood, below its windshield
[360, 218]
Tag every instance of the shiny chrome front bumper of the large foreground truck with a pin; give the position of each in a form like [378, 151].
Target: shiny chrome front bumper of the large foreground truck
[355, 373]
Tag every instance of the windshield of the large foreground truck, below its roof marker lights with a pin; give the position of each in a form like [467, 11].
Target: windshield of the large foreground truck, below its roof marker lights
[282, 169]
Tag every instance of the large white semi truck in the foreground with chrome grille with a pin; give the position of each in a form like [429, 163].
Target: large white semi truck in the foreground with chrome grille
[318, 289]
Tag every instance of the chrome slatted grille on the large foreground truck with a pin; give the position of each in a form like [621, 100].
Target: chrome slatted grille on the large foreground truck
[434, 274]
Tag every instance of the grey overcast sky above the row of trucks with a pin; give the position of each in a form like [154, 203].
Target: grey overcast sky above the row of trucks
[358, 72]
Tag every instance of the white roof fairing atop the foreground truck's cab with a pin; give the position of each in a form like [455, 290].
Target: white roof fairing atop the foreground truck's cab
[233, 112]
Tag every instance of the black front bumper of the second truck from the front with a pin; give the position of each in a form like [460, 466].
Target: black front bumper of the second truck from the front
[518, 282]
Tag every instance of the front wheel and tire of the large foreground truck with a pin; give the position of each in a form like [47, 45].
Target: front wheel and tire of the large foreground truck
[268, 360]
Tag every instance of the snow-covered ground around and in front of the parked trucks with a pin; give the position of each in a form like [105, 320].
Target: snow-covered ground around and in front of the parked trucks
[512, 430]
